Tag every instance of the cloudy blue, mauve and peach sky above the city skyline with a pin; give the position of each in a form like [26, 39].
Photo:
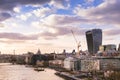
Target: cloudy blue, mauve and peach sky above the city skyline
[29, 25]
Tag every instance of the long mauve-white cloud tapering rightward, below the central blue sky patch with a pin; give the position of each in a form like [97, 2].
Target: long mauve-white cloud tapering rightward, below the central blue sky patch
[55, 19]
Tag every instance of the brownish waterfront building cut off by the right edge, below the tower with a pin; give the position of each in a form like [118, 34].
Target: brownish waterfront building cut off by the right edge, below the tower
[108, 62]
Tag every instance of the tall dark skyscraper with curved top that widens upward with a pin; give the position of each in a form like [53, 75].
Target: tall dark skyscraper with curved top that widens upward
[94, 40]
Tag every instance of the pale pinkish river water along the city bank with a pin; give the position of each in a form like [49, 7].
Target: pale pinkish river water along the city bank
[20, 72]
